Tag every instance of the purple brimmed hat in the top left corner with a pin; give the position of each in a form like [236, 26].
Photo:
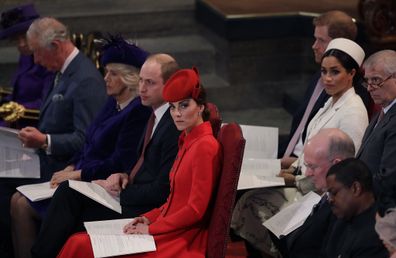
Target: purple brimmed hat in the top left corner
[17, 20]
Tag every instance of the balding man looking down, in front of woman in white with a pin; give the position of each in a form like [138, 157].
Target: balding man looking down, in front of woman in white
[326, 148]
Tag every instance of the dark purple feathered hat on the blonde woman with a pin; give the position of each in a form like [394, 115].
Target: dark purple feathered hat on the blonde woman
[117, 50]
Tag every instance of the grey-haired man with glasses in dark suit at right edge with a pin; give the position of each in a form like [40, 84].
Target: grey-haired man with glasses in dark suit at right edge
[378, 149]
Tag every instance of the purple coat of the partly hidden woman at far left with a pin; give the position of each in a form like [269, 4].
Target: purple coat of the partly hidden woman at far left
[30, 84]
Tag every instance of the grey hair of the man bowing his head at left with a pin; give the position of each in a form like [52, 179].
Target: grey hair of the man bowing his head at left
[47, 29]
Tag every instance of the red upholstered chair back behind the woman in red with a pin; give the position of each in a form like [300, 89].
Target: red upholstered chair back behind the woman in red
[233, 144]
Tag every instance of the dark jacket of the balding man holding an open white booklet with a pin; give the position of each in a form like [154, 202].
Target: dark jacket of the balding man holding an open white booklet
[307, 240]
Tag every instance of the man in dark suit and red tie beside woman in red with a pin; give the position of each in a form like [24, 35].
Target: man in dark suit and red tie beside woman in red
[145, 188]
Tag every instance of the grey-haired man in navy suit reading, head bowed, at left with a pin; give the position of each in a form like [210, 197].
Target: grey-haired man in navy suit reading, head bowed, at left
[70, 106]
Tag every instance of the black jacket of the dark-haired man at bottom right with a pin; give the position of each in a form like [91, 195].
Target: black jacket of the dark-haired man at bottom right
[355, 238]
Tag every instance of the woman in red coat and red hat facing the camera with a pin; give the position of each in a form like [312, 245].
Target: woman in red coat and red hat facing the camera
[180, 225]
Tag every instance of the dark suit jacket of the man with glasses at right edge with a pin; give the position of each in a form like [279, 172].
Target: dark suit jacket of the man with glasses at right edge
[378, 151]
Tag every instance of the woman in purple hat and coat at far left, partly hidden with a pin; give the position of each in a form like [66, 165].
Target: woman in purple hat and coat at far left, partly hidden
[30, 81]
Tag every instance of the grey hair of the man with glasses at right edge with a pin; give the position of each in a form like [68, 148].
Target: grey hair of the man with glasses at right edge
[385, 57]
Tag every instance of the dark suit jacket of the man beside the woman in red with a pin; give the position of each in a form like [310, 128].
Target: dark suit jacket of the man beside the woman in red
[151, 183]
